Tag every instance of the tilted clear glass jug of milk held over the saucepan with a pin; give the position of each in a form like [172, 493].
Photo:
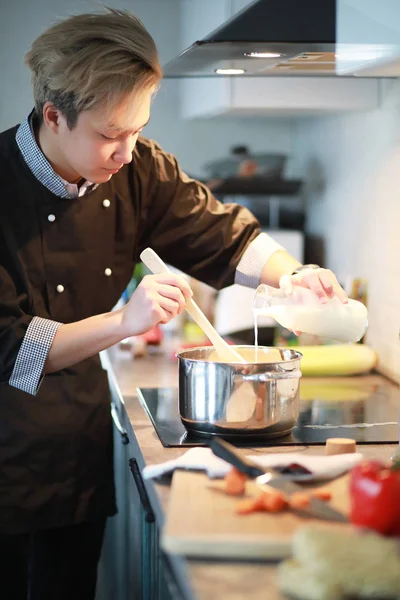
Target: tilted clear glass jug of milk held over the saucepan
[302, 311]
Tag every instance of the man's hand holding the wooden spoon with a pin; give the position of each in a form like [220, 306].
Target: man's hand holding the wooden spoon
[157, 299]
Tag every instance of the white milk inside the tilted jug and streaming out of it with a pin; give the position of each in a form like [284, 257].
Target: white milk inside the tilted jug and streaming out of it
[342, 322]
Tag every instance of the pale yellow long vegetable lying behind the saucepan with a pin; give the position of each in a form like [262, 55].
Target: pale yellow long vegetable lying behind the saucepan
[340, 359]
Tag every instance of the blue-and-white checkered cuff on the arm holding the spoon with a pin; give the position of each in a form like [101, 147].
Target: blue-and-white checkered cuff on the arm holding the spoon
[27, 374]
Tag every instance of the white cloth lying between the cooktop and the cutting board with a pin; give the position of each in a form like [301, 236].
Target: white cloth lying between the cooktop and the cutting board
[203, 459]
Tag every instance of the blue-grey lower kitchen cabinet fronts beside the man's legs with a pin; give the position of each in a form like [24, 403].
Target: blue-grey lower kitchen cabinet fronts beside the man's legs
[132, 565]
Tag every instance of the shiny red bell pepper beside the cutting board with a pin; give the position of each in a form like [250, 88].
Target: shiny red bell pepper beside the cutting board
[375, 496]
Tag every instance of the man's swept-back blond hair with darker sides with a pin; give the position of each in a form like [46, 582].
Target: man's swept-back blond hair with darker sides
[92, 60]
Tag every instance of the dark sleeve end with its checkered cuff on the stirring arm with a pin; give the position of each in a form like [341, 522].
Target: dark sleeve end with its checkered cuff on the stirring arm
[25, 340]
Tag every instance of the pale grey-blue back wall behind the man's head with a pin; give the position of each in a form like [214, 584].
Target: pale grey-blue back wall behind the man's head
[194, 143]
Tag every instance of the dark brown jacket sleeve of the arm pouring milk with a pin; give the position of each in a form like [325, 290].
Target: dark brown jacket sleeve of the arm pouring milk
[186, 225]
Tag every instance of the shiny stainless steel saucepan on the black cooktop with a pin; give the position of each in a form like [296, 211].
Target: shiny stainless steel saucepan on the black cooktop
[236, 400]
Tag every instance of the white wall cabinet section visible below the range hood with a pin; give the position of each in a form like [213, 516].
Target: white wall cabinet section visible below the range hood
[276, 96]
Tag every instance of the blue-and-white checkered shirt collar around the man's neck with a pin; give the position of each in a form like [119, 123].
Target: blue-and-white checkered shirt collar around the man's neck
[40, 166]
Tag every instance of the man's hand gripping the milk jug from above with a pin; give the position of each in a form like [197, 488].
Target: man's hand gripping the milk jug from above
[321, 281]
